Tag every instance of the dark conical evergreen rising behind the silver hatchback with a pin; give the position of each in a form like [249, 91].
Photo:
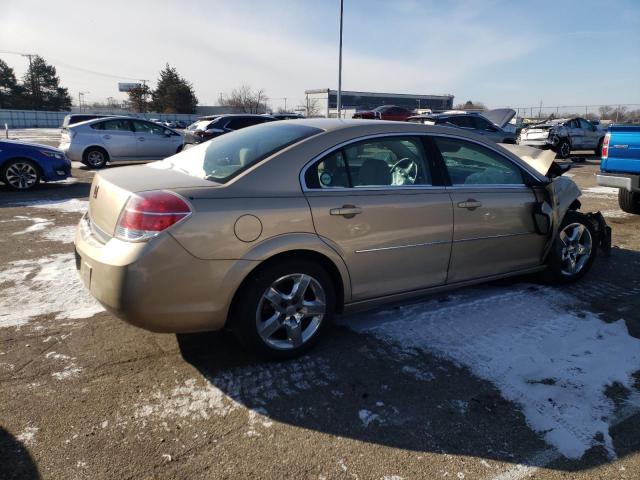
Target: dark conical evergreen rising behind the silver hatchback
[173, 94]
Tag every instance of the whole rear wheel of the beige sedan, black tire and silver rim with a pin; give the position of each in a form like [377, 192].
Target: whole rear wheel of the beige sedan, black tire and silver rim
[283, 309]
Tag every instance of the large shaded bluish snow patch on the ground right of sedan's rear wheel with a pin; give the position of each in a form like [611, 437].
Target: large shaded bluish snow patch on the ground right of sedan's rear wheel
[552, 362]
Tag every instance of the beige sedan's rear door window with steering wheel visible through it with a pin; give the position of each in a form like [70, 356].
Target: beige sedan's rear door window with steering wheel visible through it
[389, 161]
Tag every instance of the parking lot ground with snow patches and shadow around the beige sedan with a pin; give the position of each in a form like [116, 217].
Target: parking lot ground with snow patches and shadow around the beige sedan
[502, 381]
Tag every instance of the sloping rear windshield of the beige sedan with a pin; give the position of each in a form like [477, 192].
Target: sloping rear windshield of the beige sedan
[224, 157]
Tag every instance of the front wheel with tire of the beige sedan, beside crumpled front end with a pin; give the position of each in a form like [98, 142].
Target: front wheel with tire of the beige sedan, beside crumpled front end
[574, 250]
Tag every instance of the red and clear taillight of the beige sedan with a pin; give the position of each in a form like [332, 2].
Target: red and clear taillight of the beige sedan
[147, 214]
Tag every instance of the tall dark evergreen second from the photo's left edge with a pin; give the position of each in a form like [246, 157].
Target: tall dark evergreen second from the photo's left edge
[42, 87]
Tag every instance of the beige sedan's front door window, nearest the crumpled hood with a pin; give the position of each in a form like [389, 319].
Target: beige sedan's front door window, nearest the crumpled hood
[472, 164]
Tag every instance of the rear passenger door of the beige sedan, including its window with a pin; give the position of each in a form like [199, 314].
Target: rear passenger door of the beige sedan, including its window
[377, 203]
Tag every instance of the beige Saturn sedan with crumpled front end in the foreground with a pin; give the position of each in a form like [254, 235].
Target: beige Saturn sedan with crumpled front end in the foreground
[272, 229]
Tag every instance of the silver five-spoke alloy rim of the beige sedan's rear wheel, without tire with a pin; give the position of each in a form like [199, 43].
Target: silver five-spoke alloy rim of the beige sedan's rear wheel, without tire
[290, 311]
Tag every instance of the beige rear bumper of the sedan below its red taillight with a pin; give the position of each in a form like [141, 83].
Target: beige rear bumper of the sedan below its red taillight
[157, 285]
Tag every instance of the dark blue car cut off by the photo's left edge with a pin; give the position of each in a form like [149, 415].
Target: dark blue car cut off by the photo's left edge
[23, 165]
